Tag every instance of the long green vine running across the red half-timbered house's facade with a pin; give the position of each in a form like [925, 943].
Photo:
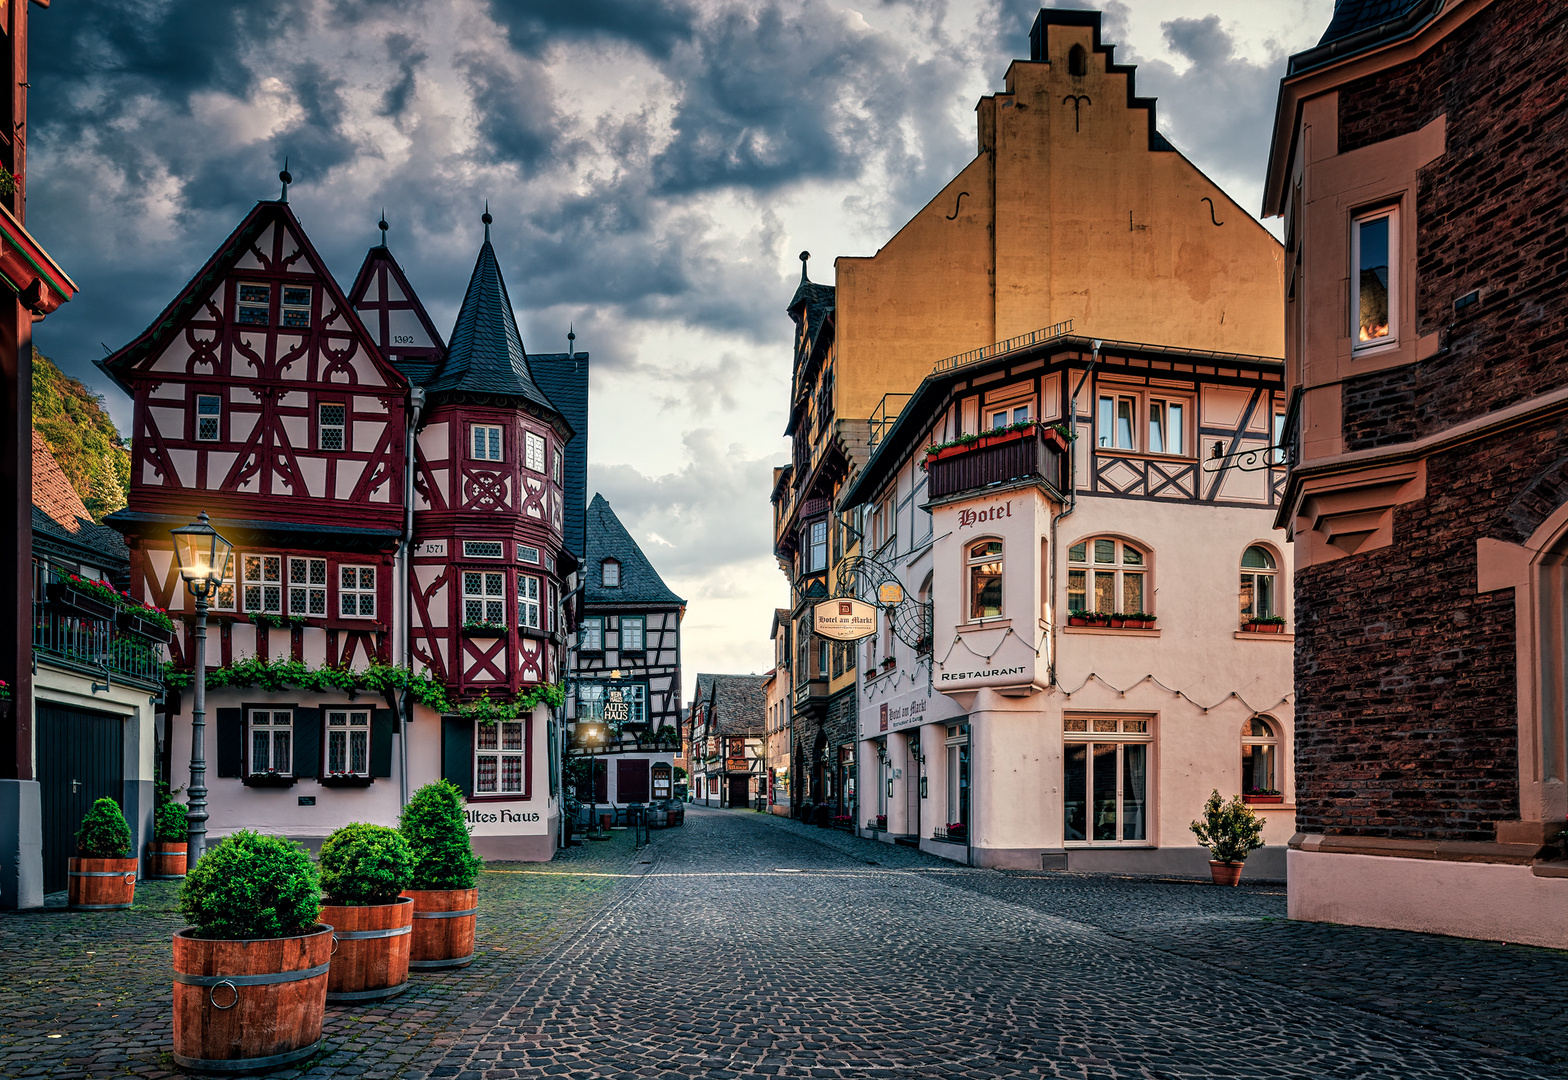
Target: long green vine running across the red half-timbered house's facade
[274, 676]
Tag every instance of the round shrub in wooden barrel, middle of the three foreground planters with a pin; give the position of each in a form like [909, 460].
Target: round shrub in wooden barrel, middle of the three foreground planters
[365, 872]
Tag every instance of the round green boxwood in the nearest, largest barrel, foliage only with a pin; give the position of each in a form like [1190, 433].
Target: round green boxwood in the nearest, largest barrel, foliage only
[252, 886]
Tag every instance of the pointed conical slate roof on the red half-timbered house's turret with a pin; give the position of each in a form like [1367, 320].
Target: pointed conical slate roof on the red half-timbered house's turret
[487, 357]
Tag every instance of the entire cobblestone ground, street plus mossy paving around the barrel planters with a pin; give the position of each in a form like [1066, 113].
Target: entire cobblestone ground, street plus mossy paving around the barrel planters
[755, 946]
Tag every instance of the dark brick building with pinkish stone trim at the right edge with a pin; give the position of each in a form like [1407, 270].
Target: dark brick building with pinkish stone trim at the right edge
[1420, 165]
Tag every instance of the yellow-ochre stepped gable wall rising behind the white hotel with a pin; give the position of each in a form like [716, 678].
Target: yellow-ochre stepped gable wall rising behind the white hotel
[1059, 225]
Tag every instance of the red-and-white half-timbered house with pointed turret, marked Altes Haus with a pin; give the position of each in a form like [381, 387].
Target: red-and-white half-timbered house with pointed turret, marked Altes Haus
[394, 502]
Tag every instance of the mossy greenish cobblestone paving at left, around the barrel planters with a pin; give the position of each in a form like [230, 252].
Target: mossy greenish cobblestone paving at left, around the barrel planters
[89, 995]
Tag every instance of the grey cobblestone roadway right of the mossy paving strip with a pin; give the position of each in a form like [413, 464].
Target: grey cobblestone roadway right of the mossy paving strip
[758, 948]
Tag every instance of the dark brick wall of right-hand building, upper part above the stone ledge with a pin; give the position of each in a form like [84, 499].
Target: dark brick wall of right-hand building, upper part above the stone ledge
[1489, 217]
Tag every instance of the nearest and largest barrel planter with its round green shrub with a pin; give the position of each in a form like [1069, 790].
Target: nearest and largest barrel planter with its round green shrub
[250, 973]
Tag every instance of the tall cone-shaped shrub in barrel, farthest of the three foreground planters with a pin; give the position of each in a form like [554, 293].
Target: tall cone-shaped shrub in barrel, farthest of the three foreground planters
[446, 877]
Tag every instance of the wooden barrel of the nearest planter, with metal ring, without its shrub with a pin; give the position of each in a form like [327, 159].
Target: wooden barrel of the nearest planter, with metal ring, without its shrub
[249, 1006]
